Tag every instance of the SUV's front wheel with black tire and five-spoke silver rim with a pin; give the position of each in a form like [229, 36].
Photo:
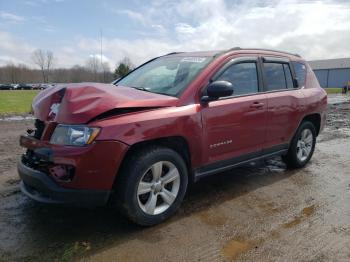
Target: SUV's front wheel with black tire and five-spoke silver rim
[152, 185]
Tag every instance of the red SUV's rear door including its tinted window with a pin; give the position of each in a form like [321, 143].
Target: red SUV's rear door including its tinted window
[284, 103]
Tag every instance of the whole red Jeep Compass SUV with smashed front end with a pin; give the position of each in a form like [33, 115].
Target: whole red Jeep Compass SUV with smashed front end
[172, 120]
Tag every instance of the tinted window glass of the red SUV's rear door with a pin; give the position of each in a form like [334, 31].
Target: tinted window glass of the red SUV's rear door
[274, 75]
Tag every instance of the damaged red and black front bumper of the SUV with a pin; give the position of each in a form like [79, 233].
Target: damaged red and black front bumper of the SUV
[71, 175]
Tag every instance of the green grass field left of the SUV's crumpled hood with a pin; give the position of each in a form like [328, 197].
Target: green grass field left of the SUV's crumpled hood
[16, 101]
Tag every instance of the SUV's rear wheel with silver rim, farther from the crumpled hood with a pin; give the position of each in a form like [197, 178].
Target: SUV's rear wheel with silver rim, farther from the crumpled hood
[302, 146]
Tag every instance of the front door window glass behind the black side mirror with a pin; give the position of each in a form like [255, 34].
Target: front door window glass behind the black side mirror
[243, 77]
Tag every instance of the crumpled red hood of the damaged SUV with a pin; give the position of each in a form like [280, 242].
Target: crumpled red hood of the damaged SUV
[79, 103]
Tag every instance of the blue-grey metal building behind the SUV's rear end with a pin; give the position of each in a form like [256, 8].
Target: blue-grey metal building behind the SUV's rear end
[332, 72]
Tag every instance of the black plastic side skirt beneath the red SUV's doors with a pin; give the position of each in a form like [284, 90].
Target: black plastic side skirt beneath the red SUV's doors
[228, 164]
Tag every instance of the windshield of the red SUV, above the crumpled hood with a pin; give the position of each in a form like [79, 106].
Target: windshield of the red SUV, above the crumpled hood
[168, 75]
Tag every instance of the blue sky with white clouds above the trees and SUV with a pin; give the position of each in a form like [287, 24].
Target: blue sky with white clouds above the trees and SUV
[144, 29]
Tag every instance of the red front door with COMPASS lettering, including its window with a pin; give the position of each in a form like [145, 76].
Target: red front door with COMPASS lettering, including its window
[235, 125]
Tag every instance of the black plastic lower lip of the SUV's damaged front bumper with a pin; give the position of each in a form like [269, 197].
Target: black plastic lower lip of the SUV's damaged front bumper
[43, 188]
